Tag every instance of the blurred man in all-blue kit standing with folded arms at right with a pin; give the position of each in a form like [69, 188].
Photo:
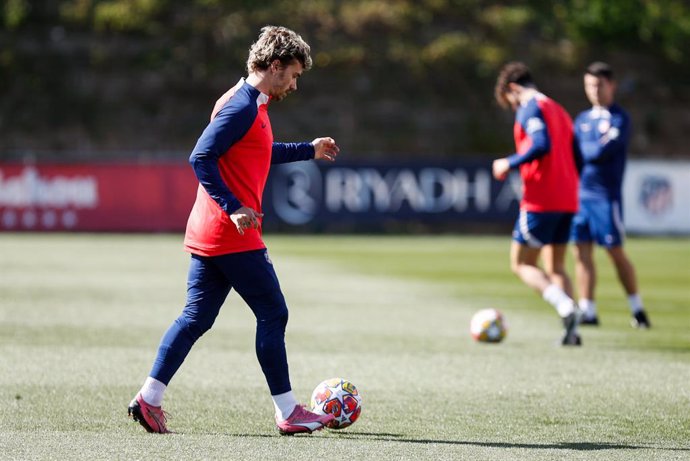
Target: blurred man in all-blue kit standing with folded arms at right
[602, 134]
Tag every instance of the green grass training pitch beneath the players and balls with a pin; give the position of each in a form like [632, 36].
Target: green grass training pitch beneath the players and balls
[81, 316]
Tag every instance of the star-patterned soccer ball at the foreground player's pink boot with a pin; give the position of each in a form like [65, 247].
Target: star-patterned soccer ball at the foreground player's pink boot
[340, 398]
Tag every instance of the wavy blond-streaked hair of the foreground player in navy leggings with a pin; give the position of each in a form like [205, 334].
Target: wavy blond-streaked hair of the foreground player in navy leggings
[280, 43]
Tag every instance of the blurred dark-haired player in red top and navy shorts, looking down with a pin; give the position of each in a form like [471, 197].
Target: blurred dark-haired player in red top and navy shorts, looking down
[544, 140]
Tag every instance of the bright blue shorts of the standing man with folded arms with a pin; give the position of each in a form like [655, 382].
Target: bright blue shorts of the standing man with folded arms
[599, 221]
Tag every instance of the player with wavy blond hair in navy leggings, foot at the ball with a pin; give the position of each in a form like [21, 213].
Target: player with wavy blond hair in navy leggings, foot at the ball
[231, 161]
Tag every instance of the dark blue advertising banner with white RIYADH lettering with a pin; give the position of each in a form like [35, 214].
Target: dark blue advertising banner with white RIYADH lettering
[375, 196]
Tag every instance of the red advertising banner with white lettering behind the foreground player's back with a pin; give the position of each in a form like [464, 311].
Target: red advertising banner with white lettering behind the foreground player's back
[96, 197]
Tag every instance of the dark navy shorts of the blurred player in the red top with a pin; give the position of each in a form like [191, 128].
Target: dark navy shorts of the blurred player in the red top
[536, 229]
